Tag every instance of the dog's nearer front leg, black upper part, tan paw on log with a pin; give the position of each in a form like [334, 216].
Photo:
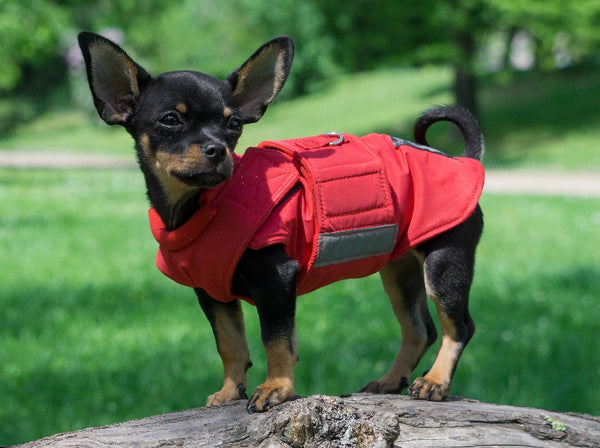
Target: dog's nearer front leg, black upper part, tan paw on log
[272, 275]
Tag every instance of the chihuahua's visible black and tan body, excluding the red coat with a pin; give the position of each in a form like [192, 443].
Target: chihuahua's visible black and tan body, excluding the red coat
[186, 125]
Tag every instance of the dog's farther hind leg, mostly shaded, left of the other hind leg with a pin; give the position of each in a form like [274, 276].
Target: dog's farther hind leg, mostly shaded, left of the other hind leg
[403, 283]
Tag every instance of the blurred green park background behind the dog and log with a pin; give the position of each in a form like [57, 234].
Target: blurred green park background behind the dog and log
[91, 333]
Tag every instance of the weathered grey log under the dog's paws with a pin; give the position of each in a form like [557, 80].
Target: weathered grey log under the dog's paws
[360, 420]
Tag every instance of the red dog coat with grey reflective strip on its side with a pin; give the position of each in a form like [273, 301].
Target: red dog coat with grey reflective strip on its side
[341, 211]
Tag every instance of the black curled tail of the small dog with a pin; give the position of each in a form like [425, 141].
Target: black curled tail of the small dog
[466, 122]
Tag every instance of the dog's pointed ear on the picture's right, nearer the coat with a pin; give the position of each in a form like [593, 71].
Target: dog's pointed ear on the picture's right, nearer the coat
[258, 81]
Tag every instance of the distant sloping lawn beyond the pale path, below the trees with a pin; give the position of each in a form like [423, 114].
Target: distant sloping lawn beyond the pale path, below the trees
[544, 121]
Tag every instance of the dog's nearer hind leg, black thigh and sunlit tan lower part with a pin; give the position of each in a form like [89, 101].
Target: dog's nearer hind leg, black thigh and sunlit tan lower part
[448, 266]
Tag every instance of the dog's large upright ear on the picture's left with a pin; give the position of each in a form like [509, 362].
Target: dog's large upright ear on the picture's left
[115, 79]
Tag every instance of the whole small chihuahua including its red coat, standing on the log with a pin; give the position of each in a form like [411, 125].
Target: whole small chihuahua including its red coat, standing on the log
[290, 216]
